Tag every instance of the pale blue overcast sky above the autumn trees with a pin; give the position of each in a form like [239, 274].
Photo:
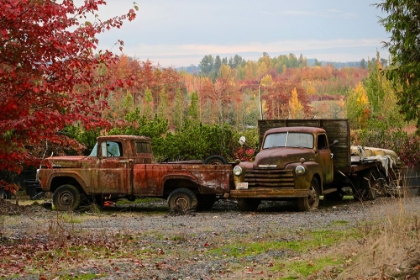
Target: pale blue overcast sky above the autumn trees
[181, 32]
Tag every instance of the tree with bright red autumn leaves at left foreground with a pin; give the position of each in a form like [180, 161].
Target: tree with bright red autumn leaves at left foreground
[48, 73]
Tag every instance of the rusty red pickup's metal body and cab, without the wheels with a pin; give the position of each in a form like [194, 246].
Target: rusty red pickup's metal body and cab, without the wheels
[122, 165]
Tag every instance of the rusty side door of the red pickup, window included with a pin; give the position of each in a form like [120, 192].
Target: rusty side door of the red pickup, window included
[112, 169]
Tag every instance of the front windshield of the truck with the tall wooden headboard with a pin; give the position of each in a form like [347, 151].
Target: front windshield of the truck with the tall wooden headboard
[289, 139]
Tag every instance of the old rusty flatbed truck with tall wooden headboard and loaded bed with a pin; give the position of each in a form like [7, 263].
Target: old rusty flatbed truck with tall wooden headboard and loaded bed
[302, 159]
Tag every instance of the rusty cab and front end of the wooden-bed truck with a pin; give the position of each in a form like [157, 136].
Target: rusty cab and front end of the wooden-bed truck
[272, 174]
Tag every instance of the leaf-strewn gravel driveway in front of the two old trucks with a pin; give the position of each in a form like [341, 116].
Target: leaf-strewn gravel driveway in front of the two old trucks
[180, 244]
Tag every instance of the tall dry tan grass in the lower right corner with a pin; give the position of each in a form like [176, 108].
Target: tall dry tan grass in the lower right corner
[389, 247]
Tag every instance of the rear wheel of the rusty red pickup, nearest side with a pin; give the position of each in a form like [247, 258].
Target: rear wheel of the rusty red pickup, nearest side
[182, 201]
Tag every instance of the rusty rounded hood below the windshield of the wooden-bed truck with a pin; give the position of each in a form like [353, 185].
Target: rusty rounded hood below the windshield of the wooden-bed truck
[280, 157]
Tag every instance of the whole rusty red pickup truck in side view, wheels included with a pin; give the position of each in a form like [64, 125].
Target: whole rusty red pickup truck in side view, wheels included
[122, 166]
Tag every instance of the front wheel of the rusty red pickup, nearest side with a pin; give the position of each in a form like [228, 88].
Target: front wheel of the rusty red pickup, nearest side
[66, 198]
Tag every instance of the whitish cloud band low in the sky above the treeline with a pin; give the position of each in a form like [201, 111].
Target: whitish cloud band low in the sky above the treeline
[184, 55]
